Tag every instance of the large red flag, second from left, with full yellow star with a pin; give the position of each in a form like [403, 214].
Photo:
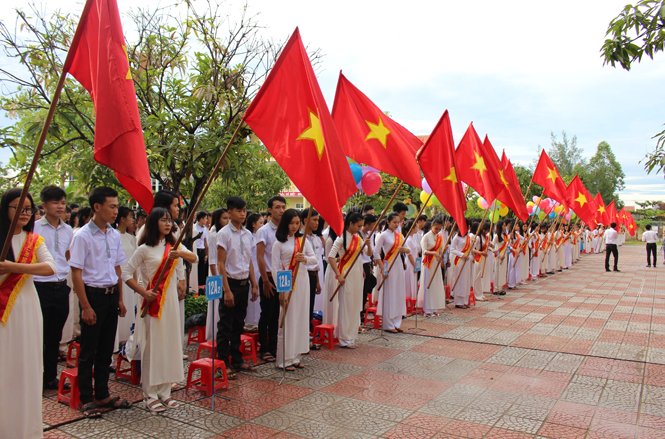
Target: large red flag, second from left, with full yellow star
[291, 118]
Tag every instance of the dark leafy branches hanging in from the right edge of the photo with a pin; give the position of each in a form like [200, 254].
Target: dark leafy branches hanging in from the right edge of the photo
[638, 30]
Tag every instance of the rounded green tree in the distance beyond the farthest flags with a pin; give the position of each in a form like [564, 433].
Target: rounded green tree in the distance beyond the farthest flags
[604, 175]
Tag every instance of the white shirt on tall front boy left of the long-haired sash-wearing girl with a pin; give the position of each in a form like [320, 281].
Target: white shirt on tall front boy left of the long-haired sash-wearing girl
[97, 254]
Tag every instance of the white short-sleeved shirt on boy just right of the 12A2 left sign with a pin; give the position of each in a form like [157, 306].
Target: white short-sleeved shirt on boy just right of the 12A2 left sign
[238, 245]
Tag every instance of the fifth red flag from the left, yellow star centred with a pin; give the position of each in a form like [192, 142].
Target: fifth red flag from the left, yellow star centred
[475, 167]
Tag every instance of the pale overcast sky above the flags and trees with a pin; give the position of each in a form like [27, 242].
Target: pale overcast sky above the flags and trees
[519, 70]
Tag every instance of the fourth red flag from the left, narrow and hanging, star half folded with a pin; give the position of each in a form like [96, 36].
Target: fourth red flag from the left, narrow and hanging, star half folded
[437, 161]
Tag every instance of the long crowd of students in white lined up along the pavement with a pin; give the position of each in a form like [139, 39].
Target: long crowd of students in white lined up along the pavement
[111, 257]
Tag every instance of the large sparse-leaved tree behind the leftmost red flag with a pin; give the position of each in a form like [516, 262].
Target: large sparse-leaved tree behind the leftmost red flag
[194, 77]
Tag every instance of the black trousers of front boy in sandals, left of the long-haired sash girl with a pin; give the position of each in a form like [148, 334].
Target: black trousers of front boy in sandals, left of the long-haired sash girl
[97, 345]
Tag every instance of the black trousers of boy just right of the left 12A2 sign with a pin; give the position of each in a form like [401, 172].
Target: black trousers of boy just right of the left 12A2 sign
[232, 322]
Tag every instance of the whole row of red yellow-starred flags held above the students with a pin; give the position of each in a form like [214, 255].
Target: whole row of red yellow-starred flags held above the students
[291, 117]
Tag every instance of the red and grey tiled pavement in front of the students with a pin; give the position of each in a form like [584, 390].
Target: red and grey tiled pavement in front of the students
[577, 355]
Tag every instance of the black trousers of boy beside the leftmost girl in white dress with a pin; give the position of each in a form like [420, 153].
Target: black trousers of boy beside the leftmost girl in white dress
[54, 301]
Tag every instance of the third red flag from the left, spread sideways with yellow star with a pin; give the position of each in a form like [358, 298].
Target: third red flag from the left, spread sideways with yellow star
[371, 137]
